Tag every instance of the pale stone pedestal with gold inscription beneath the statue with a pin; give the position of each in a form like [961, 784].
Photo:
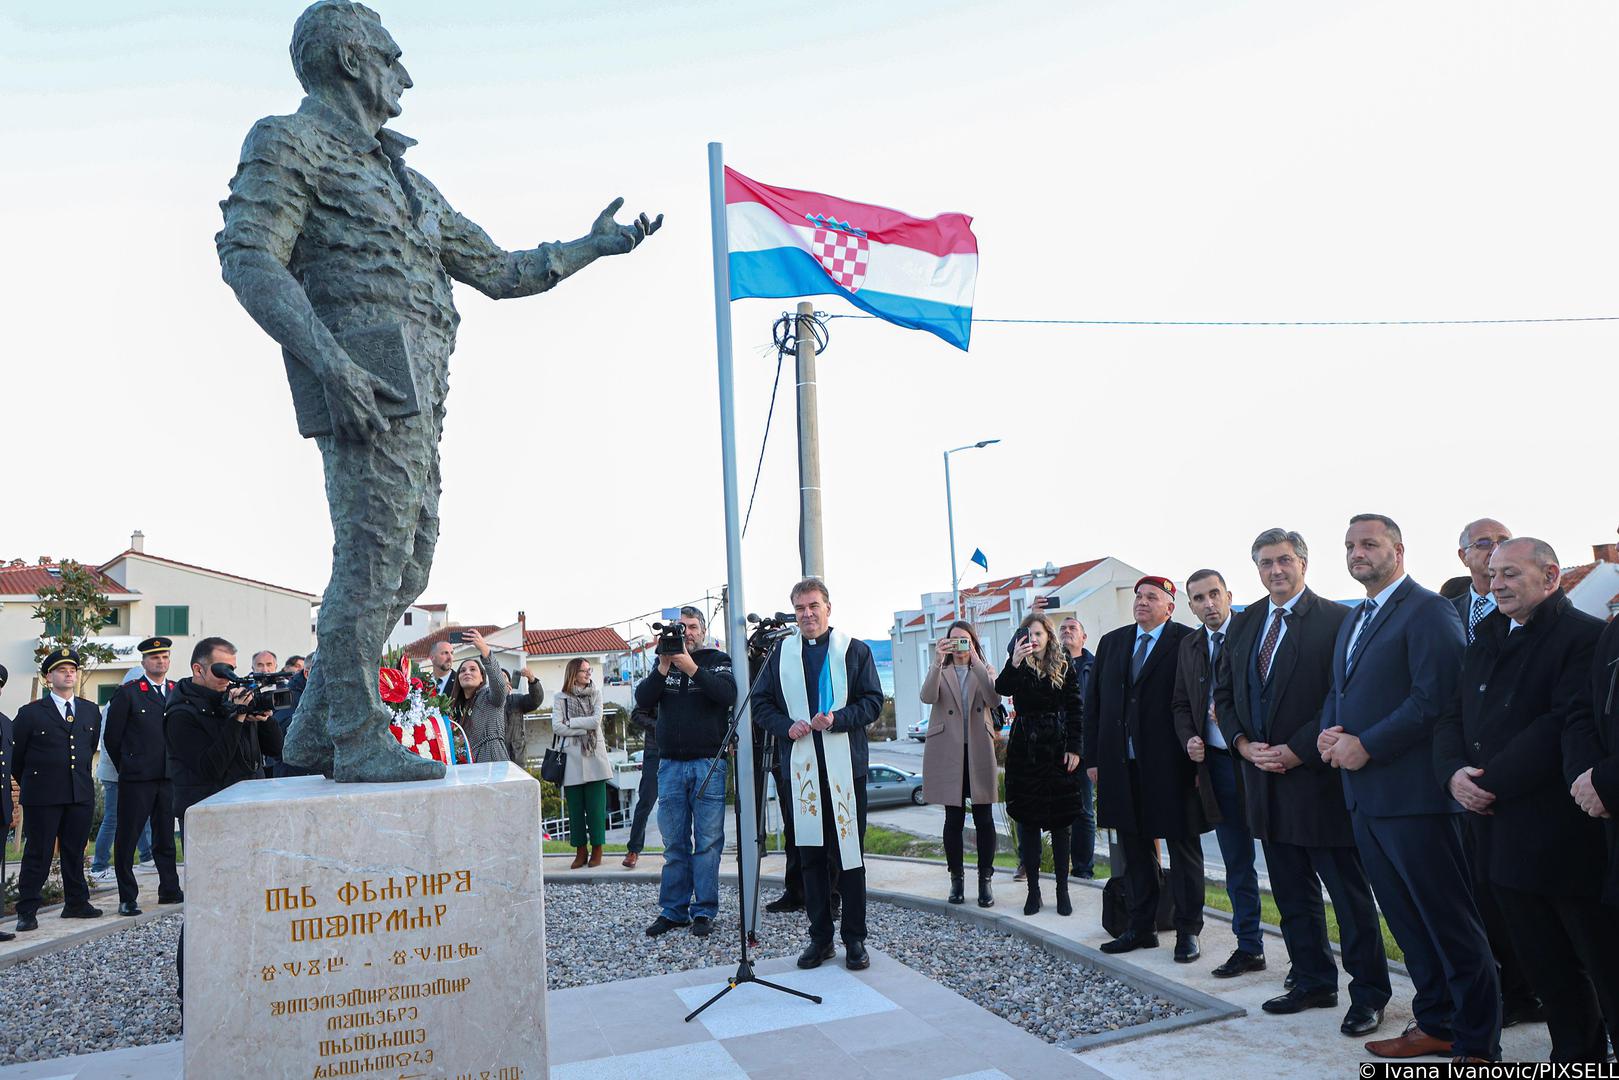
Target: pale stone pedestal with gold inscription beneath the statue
[367, 930]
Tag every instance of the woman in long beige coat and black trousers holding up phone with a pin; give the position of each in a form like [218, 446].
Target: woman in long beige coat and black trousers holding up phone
[959, 759]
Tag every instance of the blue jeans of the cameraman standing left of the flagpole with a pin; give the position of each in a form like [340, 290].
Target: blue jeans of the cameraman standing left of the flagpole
[694, 830]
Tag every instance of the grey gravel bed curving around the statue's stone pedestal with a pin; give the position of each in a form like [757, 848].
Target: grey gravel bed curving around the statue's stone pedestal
[121, 990]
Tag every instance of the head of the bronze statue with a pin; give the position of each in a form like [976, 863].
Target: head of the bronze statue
[342, 51]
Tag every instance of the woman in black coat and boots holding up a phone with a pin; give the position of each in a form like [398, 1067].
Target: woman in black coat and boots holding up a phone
[1043, 754]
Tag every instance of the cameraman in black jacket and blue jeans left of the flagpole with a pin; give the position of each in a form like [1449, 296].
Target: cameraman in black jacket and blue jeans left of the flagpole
[692, 692]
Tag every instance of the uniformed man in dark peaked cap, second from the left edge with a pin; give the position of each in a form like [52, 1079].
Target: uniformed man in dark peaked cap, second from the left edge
[54, 741]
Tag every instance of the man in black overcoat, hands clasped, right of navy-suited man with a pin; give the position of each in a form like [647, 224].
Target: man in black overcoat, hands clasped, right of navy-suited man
[1498, 750]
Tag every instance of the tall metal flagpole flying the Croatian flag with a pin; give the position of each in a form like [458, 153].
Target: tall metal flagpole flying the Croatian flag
[736, 613]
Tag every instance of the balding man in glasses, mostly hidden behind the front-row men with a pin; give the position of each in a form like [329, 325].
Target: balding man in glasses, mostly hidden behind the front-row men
[1474, 605]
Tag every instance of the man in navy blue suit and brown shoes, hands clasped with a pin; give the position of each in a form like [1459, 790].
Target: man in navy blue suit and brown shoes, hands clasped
[1396, 670]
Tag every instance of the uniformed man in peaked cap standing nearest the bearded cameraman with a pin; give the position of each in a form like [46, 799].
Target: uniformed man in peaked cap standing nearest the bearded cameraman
[135, 742]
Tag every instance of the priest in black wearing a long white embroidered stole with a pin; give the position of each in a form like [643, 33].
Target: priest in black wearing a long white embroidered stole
[818, 695]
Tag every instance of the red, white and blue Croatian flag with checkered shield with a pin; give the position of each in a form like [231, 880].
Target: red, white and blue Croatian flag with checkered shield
[917, 273]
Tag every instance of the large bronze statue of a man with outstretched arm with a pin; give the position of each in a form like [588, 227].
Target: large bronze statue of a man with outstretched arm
[346, 255]
